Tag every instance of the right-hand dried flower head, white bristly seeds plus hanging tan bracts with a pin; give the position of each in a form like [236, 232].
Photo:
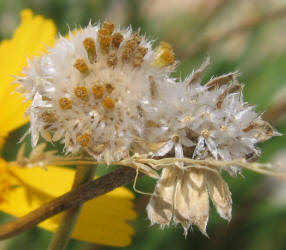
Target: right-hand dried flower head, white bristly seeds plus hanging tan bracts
[212, 122]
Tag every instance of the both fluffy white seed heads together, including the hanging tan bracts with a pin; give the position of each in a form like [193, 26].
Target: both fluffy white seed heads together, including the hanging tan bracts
[106, 91]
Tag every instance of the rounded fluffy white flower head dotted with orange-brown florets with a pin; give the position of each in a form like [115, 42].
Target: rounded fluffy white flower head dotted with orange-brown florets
[88, 91]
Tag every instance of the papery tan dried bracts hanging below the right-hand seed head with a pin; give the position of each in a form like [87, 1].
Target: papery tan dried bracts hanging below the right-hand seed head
[183, 195]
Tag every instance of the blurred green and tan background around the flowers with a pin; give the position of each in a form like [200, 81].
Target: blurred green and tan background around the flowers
[244, 35]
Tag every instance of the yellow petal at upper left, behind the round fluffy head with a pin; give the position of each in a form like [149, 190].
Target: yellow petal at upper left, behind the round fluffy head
[30, 39]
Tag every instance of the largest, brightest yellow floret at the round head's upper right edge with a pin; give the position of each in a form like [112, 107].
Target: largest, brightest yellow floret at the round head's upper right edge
[164, 55]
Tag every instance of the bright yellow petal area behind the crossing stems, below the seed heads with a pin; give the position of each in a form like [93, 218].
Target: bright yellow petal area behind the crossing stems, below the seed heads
[102, 220]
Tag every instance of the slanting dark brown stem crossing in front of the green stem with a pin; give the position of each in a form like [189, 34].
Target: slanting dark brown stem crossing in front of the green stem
[88, 191]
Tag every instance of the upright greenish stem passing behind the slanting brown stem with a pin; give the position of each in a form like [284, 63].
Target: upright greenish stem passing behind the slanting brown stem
[69, 218]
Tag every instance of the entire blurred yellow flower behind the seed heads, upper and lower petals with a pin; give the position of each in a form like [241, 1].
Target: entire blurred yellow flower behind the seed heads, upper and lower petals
[102, 220]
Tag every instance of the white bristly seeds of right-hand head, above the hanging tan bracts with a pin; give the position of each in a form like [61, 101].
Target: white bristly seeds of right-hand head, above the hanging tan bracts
[213, 120]
